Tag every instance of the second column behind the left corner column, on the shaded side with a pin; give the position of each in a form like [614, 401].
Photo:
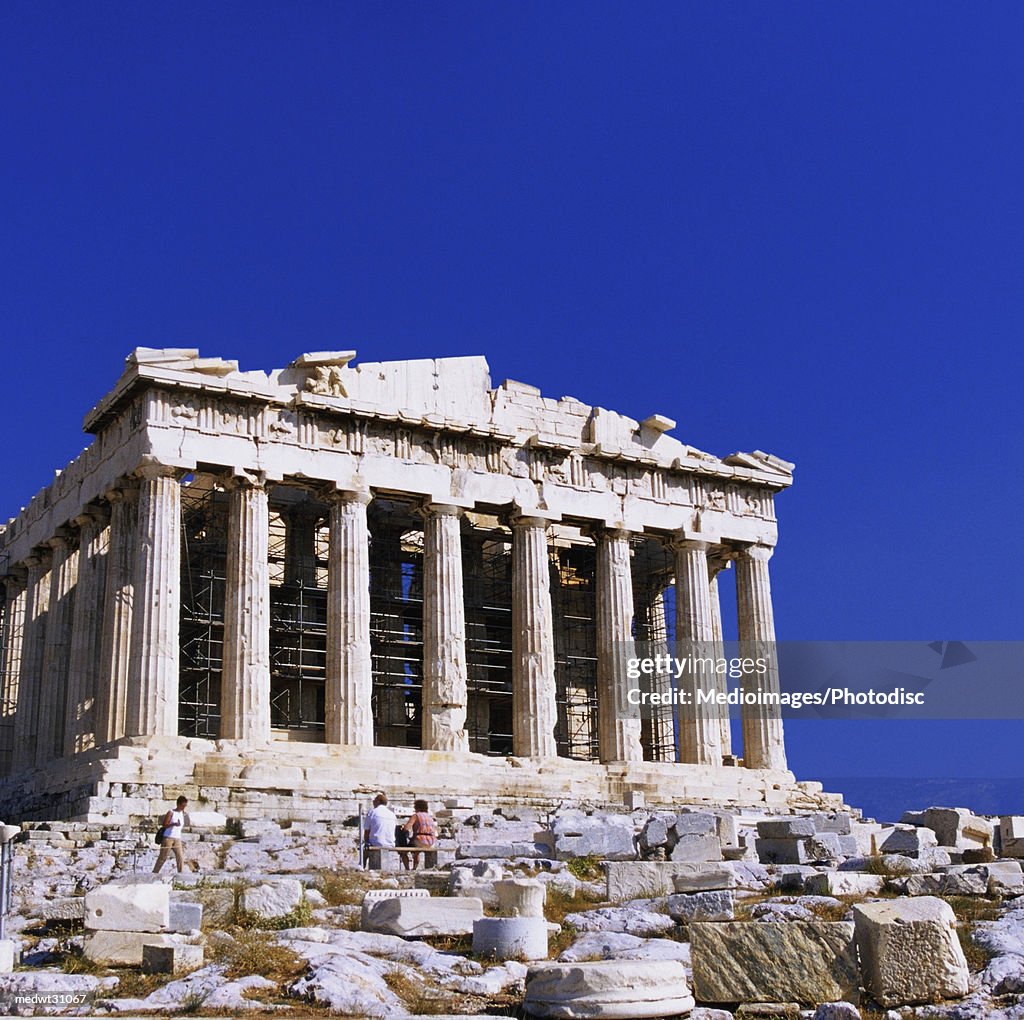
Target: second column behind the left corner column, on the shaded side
[80, 721]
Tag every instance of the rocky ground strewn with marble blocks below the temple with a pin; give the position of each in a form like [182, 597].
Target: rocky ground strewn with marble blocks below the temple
[580, 913]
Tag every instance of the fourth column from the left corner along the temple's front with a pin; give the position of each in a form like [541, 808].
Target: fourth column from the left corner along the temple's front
[445, 676]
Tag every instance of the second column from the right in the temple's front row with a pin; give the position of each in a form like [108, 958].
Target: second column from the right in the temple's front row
[700, 730]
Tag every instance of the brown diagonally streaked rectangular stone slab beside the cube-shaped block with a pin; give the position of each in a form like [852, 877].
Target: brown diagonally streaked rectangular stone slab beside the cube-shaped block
[807, 962]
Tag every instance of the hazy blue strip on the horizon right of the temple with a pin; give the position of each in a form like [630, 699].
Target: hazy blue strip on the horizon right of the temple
[885, 799]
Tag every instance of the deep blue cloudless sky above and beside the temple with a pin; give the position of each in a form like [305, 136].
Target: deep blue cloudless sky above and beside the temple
[790, 227]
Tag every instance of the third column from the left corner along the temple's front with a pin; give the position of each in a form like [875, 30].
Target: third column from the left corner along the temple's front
[349, 695]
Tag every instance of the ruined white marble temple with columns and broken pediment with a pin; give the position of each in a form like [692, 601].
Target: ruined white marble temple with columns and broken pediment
[278, 590]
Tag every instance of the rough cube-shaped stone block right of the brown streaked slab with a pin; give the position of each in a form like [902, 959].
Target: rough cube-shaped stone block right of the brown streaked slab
[910, 952]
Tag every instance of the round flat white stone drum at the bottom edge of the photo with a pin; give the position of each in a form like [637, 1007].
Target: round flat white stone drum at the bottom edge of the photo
[609, 989]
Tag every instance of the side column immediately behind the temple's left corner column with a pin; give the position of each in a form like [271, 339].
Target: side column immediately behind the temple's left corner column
[115, 643]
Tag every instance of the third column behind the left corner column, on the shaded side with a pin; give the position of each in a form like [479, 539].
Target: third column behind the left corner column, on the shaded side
[54, 691]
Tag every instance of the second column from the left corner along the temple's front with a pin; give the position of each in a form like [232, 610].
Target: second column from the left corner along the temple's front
[245, 685]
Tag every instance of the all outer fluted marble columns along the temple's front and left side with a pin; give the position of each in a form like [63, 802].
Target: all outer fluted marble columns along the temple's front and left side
[95, 631]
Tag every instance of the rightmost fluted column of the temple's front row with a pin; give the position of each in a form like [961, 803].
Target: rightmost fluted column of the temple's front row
[763, 743]
